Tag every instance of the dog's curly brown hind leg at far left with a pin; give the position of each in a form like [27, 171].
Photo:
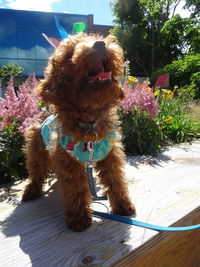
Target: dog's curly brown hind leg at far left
[37, 164]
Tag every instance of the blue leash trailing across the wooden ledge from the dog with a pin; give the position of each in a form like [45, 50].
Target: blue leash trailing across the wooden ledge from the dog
[126, 220]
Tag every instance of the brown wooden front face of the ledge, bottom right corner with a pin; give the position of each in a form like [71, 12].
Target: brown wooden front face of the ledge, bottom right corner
[169, 248]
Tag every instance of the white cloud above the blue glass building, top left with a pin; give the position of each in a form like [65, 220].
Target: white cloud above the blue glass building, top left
[37, 5]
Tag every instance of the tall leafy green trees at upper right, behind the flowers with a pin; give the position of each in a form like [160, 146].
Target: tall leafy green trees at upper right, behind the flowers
[146, 30]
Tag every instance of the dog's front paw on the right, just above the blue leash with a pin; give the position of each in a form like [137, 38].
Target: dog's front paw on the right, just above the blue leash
[124, 208]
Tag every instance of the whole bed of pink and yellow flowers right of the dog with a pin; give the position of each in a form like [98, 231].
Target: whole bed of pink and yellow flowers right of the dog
[153, 118]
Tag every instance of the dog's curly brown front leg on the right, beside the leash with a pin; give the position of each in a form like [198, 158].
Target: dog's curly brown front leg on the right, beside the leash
[111, 174]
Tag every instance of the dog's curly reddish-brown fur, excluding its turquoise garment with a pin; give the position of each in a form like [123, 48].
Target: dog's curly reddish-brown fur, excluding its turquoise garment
[76, 99]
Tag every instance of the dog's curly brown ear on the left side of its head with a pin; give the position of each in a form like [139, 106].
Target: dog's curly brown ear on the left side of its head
[58, 84]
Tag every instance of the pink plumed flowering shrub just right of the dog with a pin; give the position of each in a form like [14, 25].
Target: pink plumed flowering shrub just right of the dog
[138, 109]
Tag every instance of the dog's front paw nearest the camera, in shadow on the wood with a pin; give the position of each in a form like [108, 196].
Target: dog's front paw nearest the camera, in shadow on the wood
[79, 224]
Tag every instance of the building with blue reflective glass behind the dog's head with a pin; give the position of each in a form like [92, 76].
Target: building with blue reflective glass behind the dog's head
[21, 39]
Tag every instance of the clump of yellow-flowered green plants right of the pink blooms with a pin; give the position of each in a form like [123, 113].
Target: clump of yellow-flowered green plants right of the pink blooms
[174, 119]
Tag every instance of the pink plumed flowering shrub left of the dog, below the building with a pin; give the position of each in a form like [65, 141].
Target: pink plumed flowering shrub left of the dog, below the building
[17, 111]
